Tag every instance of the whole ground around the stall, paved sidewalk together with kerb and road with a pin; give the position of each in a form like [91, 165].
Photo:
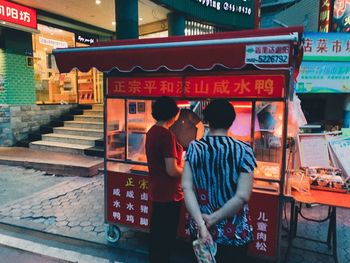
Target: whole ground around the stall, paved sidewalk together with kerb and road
[68, 216]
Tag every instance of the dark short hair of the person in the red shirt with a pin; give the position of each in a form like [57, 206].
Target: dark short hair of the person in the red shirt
[164, 108]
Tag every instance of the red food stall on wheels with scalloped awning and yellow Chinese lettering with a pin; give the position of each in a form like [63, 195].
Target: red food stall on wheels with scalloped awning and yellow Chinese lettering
[253, 69]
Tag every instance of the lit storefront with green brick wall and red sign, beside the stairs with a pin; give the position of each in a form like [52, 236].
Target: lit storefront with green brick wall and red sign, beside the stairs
[32, 92]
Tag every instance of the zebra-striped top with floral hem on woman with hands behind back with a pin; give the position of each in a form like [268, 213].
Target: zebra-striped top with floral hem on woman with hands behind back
[216, 163]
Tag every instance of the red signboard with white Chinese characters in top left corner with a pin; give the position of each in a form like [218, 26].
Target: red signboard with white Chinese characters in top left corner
[17, 14]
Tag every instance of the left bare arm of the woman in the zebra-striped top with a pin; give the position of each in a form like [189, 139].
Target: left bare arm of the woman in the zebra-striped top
[192, 203]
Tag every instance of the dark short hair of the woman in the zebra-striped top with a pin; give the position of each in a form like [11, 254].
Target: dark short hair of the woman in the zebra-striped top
[220, 114]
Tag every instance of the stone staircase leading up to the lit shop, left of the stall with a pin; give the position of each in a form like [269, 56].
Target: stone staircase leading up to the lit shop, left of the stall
[77, 136]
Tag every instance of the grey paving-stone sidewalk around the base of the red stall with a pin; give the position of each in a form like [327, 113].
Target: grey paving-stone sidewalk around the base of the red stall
[75, 208]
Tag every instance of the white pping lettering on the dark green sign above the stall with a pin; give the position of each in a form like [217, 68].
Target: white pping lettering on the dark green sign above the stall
[240, 7]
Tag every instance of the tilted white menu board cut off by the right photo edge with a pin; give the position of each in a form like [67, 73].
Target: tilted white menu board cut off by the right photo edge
[341, 153]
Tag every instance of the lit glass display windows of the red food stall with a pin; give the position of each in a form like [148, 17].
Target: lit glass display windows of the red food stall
[128, 121]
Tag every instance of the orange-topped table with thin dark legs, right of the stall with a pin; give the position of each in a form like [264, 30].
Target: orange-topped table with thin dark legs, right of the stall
[330, 199]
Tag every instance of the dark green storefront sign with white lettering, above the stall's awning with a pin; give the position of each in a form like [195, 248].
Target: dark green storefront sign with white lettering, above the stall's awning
[238, 14]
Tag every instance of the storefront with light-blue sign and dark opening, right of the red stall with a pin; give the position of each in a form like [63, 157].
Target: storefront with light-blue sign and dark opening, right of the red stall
[323, 84]
